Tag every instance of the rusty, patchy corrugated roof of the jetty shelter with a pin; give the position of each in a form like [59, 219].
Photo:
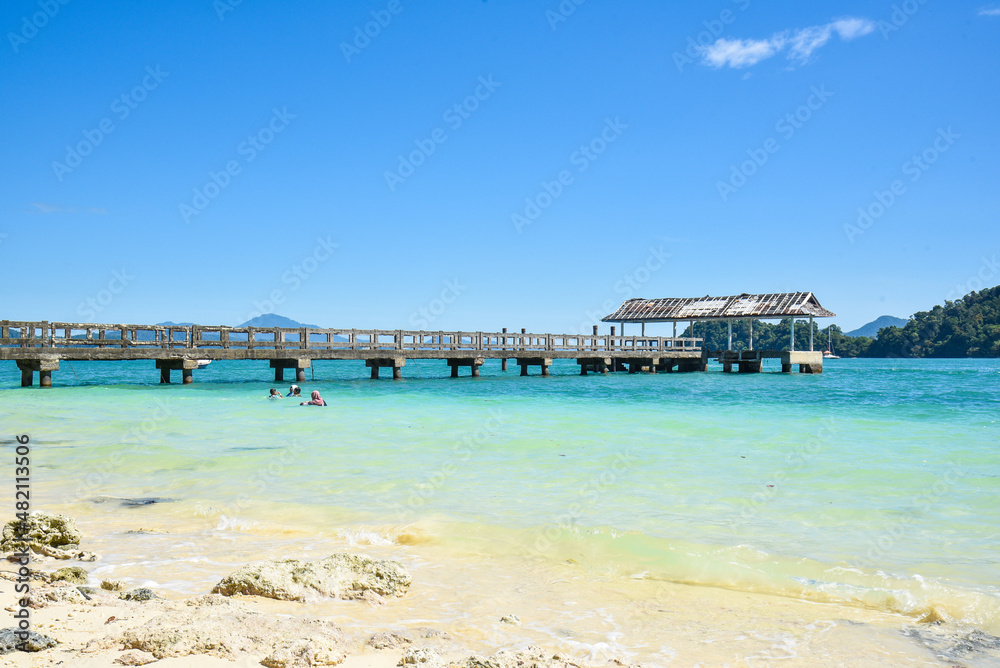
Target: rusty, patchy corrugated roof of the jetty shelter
[776, 305]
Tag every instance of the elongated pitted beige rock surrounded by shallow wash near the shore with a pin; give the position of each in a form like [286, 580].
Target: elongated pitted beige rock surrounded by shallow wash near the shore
[345, 576]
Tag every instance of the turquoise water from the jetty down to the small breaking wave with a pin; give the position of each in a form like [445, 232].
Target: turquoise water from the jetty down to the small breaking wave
[874, 484]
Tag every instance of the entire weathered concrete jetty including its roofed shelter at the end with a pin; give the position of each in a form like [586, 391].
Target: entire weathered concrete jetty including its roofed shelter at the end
[39, 346]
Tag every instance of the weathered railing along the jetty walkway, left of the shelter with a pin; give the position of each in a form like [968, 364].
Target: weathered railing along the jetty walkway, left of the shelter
[39, 336]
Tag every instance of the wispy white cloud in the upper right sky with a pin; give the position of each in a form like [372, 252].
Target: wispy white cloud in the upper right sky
[801, 43]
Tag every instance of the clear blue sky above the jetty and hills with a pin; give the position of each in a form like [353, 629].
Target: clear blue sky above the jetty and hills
[479, 165]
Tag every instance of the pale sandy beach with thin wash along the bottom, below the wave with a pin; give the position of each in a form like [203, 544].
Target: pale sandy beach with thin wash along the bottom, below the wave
[477, 606]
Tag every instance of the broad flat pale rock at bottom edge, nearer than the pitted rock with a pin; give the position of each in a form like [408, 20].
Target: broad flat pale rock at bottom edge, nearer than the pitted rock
[226, 629]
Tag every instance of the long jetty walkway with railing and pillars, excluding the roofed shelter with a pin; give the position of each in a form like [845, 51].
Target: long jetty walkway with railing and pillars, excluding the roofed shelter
[38, 347]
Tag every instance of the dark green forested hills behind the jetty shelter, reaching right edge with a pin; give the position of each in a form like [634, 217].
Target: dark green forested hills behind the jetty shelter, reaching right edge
[967, 327]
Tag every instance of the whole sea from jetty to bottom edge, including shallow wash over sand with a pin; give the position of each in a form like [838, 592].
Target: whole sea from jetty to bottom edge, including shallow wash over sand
[850, 517]
